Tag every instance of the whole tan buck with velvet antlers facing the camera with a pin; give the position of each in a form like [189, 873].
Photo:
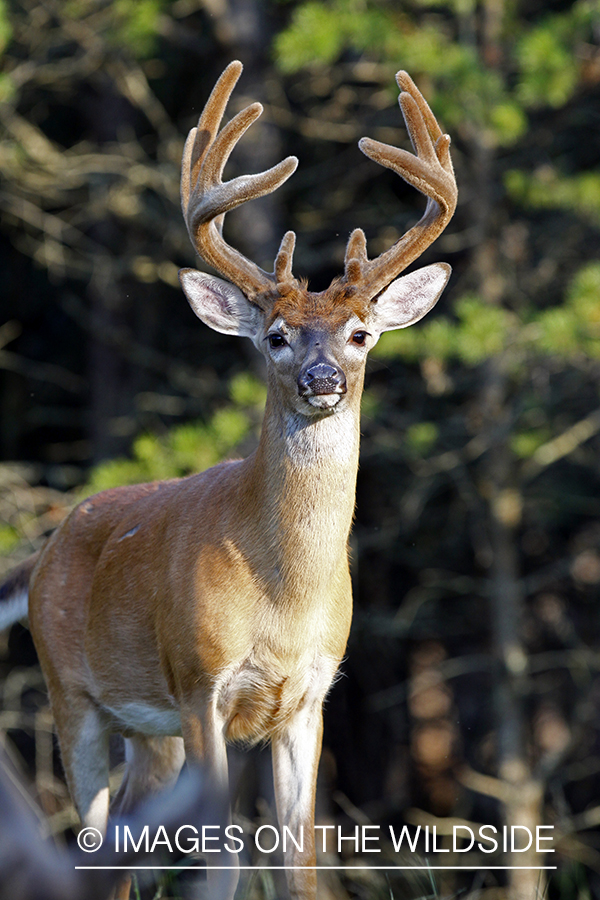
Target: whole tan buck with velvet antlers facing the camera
[216, 608]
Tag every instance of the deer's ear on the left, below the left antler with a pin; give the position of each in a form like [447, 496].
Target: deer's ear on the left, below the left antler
[219, 304]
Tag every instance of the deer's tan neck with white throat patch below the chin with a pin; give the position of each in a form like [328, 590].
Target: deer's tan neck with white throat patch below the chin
[305, 474]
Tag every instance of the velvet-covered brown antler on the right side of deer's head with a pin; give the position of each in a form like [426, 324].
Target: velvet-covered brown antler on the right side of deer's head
[429, 170]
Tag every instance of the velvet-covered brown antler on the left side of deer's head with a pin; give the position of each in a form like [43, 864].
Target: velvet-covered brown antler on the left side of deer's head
[205, 198]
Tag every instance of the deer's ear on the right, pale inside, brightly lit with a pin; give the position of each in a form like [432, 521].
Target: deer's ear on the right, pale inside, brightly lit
[410, 297]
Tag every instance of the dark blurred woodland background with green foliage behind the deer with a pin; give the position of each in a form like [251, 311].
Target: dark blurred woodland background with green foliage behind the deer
[471, 689]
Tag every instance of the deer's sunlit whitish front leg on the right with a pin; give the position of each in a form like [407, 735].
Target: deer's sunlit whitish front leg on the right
[295, 762]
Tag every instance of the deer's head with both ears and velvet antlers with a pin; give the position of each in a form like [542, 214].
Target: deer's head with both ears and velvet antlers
[315, 344]
